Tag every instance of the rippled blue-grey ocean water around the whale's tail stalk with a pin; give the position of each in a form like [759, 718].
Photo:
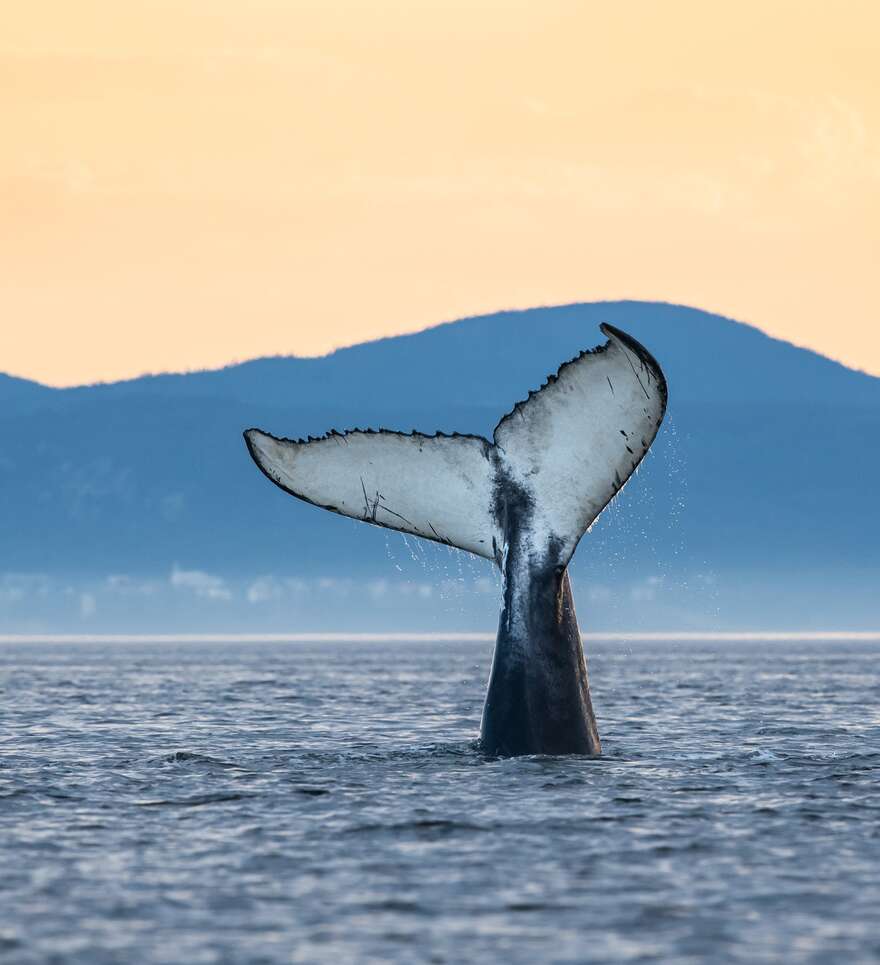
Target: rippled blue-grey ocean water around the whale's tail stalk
[247, 803]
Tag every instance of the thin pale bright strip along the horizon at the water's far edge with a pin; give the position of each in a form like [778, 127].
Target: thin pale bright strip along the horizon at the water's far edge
[663, 636]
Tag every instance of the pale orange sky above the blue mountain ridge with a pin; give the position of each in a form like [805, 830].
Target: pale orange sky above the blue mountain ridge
[188, 183]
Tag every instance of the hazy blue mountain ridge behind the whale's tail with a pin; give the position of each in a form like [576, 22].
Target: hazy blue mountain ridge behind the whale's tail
[761, 483]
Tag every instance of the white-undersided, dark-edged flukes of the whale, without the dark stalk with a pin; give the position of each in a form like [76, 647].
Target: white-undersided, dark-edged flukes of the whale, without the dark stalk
[558, 457]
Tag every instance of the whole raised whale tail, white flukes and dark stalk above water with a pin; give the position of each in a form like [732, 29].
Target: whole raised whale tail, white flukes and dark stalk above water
[524, 500]
